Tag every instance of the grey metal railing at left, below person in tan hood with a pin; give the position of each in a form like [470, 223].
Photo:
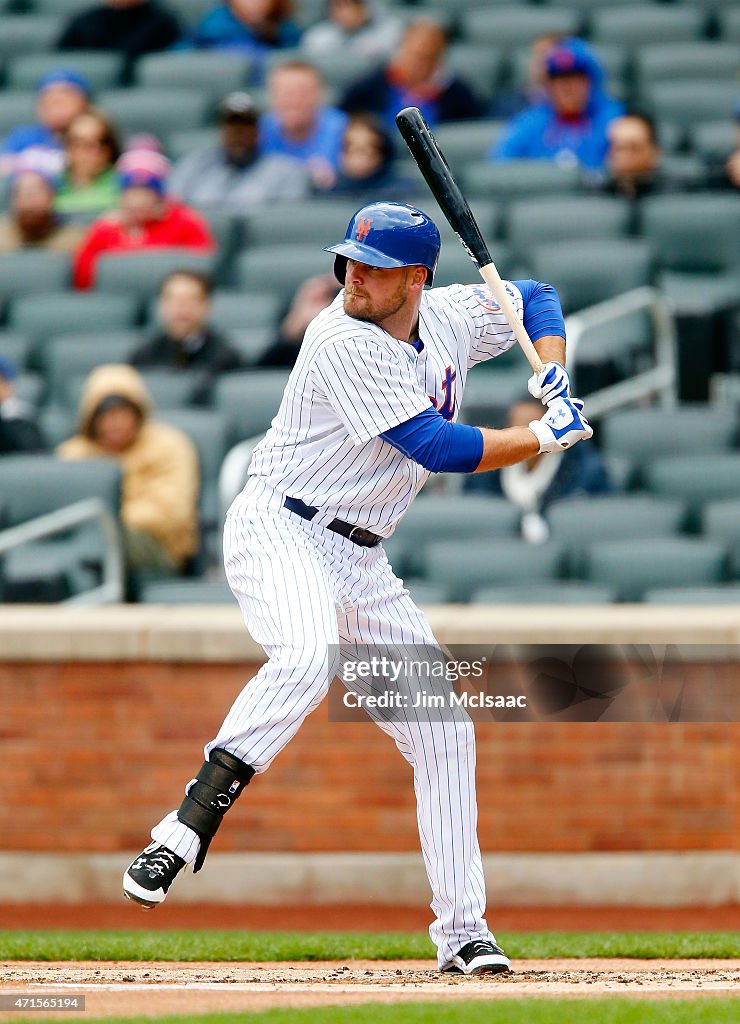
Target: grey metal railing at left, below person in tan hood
[111, 591]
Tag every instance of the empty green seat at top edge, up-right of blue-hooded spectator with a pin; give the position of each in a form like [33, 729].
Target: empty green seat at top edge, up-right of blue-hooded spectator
[635, 24]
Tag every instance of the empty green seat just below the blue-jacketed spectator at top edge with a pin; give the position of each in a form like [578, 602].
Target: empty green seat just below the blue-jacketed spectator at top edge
[216, 72]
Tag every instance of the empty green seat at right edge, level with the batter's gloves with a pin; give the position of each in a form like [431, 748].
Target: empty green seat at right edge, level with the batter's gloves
[645, 435]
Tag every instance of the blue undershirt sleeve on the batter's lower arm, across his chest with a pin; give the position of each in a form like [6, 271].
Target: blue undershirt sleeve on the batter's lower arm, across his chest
[438, 445]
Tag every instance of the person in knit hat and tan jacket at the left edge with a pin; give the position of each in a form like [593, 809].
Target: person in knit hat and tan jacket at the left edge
[32, 222]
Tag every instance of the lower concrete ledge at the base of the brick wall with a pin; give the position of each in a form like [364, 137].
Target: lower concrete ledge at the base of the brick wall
[698, 879]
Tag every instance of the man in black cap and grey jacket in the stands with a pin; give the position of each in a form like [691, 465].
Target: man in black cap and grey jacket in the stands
[232, 175]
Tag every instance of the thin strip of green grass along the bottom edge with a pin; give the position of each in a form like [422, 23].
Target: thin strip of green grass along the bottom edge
[606, 1011]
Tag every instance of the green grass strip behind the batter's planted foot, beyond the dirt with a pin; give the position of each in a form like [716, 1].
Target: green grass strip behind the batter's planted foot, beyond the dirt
[260, 947]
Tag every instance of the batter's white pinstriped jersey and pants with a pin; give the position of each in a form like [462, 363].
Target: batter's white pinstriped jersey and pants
[311, 598]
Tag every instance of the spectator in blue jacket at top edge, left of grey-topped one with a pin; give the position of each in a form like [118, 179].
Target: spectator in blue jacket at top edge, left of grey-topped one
[255, 28]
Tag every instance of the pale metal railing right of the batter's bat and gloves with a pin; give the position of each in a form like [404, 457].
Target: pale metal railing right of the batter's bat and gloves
[659, 380]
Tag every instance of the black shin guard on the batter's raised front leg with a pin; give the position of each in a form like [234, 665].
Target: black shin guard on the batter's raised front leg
[217, 786]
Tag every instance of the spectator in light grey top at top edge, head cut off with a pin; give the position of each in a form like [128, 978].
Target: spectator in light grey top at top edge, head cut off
[363, 28]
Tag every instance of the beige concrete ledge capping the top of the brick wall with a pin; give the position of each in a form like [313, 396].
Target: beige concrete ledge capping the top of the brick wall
[216, 634]
